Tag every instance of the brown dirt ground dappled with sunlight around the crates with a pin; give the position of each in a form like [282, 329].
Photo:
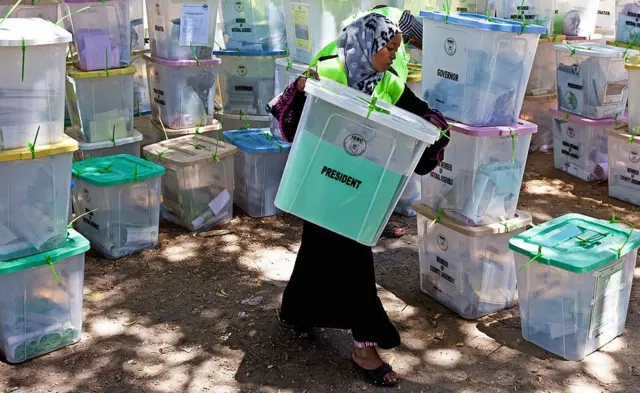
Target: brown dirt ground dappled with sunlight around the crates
[199, 315]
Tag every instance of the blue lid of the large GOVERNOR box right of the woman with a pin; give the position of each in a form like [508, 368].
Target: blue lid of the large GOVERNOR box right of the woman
[481, 22]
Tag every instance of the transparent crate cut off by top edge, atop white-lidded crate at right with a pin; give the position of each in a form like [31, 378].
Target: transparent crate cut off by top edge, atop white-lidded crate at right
[576, 17]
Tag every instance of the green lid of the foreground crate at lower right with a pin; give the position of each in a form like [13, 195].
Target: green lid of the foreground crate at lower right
[576, 243]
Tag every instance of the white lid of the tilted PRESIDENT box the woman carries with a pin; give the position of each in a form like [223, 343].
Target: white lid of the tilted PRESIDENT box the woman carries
[355, 101]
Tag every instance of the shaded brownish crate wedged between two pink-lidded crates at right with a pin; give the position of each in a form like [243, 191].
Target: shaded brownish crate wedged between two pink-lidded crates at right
[536, 111]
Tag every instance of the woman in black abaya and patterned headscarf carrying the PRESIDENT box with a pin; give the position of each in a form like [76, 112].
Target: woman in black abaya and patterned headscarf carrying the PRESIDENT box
[333, 282]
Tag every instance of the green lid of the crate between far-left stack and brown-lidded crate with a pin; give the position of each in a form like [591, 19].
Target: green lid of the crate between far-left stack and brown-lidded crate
[115, 170]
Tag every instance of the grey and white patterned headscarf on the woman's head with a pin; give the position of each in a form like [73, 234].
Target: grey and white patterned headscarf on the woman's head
[357, 44]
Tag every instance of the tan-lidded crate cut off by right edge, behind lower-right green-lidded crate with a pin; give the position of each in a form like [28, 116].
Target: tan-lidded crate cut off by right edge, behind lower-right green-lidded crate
[624, 165]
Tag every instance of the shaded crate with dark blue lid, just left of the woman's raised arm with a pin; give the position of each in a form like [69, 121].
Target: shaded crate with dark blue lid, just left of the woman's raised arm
[247, 81]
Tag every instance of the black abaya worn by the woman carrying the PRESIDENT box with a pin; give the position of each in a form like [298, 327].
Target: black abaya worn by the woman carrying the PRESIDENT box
[333, 282]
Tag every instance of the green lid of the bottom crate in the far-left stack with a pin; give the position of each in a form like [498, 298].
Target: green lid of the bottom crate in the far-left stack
[75, 245]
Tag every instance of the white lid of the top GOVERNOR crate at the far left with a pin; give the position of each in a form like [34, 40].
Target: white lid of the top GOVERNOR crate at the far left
[34, 31]
